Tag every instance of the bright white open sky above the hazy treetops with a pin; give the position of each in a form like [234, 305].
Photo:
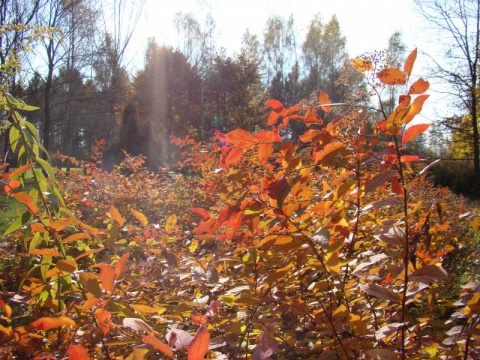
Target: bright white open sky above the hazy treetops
[366, 24]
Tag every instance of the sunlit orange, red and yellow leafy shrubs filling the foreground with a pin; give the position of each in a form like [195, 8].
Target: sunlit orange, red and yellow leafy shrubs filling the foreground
[250, 247]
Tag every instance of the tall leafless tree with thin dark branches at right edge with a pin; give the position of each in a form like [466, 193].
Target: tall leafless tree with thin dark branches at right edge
[457, 24]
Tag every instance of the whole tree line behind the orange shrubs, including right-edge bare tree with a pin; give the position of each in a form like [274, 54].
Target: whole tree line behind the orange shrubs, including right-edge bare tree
[78, 75]
